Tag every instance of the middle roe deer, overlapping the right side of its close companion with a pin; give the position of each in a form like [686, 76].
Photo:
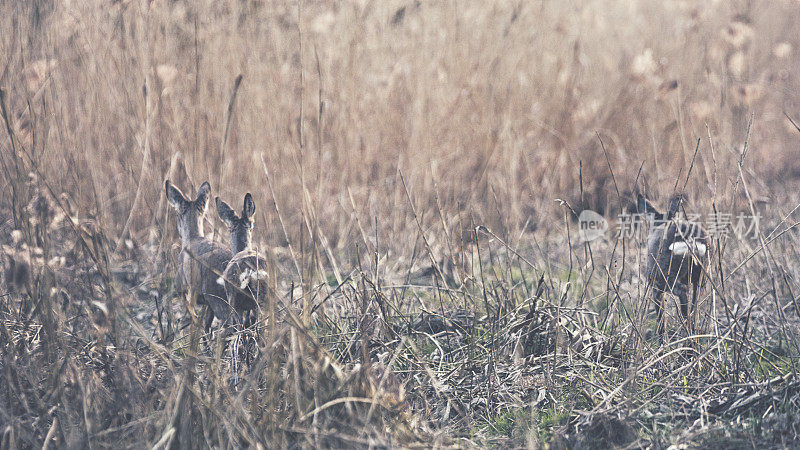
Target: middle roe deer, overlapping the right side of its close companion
[245, 278]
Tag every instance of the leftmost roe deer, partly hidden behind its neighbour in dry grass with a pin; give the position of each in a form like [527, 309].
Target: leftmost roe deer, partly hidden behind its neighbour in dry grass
[201, 260]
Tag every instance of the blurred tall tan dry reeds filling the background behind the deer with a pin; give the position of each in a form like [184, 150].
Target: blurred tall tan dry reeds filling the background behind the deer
[491, 106]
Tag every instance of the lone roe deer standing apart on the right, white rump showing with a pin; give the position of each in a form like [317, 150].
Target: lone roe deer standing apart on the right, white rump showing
[677, 253]
